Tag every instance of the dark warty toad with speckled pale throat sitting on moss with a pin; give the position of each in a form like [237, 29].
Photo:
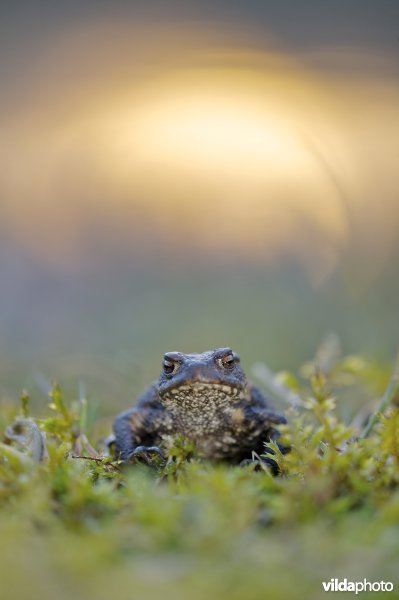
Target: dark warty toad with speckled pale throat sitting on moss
[205, 397]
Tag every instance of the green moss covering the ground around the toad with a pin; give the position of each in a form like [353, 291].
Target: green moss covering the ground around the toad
[89, 528]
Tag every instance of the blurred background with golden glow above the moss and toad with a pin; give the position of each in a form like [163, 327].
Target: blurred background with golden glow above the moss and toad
[187, 175]
